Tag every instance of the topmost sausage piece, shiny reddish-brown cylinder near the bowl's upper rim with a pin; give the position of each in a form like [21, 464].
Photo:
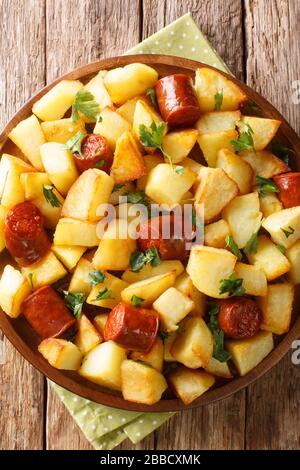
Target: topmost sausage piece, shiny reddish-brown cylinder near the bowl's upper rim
[177, 100]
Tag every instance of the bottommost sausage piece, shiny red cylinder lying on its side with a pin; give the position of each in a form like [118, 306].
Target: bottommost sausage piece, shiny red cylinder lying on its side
[131, 327]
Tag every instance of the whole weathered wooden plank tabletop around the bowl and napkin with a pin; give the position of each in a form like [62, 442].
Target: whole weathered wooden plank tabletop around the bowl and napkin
[40, 40]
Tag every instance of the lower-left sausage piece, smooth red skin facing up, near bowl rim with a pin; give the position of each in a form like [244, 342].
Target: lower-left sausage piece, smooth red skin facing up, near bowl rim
[47, 313]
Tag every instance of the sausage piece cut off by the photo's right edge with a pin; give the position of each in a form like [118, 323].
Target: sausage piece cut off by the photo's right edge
[289, 189]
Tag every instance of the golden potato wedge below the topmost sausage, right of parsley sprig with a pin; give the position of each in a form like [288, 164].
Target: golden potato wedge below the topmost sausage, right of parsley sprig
[178, 144]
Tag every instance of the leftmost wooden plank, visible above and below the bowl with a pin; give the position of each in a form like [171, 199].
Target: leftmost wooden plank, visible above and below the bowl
[21, 75]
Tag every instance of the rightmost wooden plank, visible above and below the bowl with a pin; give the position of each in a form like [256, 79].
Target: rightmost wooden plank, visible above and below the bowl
[272, 65]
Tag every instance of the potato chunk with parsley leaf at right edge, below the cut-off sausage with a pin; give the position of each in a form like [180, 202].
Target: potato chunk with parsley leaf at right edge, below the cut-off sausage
[284, 226]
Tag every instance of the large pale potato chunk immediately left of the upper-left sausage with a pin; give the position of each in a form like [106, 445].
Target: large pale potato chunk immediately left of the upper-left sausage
[60, 166]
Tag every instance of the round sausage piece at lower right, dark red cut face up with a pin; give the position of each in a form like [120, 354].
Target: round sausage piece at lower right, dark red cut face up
[239, 317]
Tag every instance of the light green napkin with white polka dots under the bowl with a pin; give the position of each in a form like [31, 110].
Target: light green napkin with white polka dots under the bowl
[107, 427]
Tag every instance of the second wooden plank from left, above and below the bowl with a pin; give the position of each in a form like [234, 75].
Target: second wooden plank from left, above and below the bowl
[96, 30]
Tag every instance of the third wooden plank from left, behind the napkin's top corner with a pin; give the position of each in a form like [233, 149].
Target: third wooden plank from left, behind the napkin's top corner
[221, 22]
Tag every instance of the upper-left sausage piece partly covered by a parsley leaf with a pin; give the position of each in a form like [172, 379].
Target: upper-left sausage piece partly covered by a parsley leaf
[95, 154]
